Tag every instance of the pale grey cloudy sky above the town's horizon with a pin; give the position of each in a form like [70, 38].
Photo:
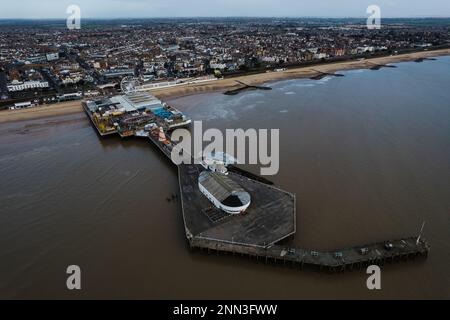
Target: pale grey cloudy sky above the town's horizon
[38, 9]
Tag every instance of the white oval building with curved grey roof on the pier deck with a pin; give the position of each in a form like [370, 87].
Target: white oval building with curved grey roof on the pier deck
[223, 192]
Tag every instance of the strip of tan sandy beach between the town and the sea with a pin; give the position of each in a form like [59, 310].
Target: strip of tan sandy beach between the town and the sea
[72, 107]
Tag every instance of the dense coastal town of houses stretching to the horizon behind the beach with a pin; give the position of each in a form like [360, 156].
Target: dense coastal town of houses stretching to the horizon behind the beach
[46, 63]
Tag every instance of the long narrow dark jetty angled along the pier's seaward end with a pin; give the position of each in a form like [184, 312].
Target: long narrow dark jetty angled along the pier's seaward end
[333, 261]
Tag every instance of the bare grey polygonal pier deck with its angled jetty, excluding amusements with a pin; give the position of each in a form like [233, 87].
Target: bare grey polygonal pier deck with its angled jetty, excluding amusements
[213, 232]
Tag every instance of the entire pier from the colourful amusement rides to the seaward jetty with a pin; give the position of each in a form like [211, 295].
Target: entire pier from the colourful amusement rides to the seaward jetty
[269, 222]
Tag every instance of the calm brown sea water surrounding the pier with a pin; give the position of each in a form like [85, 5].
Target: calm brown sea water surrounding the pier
[368, 156]
